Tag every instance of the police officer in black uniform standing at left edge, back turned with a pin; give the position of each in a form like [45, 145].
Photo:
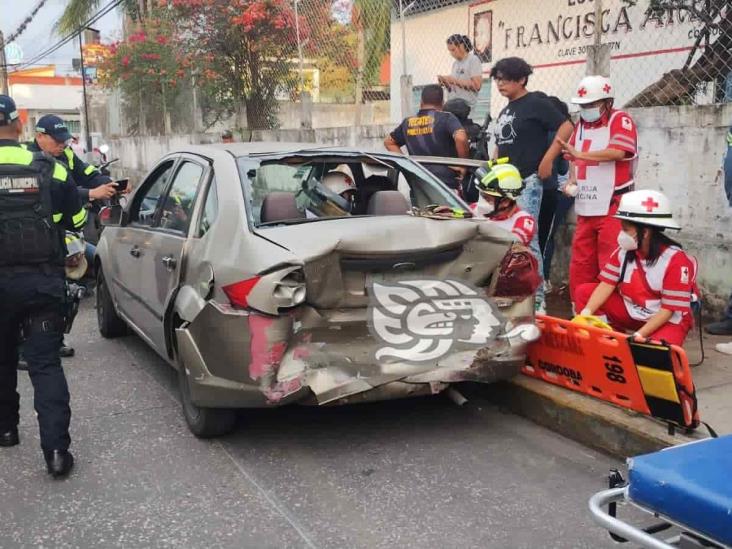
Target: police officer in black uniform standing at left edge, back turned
[38, 200]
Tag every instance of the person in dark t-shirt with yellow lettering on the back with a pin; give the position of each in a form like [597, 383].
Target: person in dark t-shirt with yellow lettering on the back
[433, 132]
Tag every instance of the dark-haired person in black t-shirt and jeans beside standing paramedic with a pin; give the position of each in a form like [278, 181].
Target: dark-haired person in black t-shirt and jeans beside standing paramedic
[521, 132]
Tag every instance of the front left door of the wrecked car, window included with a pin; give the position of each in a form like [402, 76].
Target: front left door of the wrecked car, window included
[128, 246]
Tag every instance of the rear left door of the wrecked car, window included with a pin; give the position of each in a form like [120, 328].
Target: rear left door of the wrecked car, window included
[162, 254]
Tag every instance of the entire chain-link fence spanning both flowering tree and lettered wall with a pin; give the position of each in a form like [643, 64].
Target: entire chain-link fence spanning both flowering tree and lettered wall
[257, 64]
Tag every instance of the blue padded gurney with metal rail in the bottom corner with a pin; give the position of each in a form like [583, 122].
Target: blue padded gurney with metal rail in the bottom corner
[688, 486]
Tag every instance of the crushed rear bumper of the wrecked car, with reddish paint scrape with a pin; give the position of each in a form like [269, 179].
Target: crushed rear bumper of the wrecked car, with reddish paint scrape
[238, 359]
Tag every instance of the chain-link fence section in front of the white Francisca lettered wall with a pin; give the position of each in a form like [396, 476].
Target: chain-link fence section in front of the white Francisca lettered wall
[657, 52]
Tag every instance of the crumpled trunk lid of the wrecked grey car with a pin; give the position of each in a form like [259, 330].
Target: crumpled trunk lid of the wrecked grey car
[343, 257]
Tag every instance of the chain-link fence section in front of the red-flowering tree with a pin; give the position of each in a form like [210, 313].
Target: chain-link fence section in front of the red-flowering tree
[254, 64]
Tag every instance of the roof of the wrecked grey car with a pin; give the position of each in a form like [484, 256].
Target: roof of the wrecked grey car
[273, 147]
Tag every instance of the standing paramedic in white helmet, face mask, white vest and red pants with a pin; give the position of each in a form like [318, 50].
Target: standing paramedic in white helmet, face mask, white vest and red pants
[603, 150]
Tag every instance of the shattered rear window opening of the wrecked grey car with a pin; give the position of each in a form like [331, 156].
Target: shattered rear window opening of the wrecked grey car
[304, 187]
